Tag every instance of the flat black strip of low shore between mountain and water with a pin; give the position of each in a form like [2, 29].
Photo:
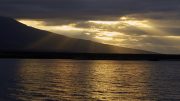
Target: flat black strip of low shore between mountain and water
[88, 56]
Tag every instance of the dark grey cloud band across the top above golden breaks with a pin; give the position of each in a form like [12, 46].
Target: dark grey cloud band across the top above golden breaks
[89, 9]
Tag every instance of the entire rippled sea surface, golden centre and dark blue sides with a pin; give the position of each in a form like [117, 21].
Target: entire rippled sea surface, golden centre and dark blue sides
[85, 80]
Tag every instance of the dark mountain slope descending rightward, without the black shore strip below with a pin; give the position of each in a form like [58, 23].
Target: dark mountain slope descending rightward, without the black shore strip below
[15, 36]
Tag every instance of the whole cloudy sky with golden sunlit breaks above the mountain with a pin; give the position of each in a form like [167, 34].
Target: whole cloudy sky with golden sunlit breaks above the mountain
[152, 25]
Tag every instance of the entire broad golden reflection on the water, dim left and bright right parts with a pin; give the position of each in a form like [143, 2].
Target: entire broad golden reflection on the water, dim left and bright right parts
[83, 80]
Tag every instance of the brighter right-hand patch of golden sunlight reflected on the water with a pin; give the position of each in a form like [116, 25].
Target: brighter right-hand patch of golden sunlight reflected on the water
[120, 81]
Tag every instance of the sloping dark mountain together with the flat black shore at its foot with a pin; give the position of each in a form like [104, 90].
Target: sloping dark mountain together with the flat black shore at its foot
[21, 41]
